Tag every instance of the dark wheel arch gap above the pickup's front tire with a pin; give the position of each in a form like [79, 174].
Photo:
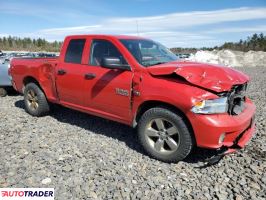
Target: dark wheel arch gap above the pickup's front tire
[153, 103]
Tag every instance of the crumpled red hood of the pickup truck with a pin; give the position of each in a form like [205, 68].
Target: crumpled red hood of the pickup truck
[213, 77]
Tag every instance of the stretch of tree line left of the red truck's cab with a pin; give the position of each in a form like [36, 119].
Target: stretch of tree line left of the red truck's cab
[27, 44]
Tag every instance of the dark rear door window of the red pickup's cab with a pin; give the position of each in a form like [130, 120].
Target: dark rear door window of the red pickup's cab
[74, 51]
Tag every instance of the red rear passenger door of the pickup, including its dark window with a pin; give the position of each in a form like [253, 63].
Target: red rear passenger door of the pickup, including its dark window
[70, 73]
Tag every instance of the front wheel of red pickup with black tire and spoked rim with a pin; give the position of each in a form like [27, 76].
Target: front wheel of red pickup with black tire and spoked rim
[183, 140]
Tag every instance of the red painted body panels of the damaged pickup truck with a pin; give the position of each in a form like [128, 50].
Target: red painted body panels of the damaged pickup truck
[179, 84]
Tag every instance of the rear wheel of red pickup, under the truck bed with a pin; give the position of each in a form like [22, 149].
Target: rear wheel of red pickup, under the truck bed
[42, 107]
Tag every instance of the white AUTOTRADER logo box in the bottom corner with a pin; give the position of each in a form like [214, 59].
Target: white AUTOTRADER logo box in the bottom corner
[27, 193]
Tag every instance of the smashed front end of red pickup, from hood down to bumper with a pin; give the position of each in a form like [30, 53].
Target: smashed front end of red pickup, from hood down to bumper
[225, 121]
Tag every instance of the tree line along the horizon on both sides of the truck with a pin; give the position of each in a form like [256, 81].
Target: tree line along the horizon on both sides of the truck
[256, 42]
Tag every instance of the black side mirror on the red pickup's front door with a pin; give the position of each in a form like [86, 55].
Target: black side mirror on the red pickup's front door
[114, 63]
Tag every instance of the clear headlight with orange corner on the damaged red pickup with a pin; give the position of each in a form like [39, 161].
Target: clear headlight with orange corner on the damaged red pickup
[211, 106]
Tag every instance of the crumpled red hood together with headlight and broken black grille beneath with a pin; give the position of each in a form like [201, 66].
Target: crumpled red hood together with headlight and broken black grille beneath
[228, 84]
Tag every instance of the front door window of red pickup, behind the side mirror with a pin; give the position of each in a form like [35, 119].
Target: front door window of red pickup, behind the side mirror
[101, 49]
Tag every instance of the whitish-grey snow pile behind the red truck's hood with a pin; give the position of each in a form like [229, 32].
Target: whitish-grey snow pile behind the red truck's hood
[231, 58]
